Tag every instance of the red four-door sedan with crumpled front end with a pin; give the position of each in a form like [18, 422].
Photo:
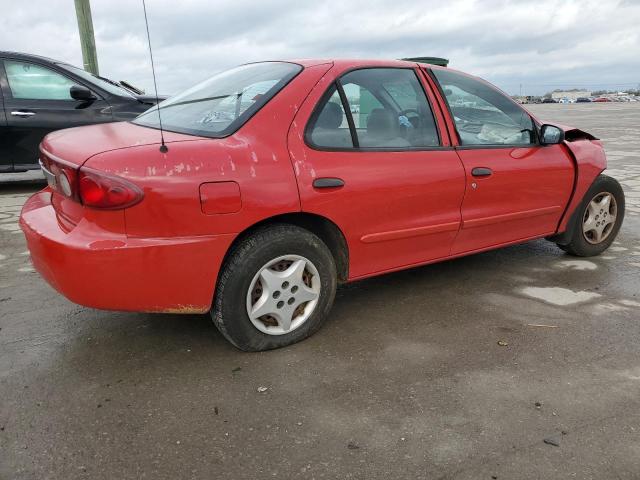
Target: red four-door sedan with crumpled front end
[281, 179]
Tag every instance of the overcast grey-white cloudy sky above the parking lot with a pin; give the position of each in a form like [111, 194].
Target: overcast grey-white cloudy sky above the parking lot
[541, 45]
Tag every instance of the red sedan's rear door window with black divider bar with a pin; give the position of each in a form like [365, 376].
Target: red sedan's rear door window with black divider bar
[388, 110]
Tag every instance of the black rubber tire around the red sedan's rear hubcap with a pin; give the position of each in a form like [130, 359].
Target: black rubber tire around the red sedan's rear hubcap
[229, 312]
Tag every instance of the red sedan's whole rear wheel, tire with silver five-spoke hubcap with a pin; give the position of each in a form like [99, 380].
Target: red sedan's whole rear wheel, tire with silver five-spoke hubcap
[276, 288]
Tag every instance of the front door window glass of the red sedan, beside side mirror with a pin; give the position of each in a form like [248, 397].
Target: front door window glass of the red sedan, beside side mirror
[482, 114]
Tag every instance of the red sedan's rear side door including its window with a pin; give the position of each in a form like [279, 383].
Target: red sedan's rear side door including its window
[368, 155]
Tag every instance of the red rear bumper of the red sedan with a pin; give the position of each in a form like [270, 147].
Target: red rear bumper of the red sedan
[106, 270]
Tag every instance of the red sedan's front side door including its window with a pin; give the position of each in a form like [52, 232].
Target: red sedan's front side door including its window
[516, 189]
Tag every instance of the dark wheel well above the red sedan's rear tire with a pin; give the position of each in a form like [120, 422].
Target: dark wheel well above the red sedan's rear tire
[324, 228]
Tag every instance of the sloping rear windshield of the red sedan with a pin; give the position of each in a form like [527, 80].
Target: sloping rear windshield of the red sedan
[220, 105]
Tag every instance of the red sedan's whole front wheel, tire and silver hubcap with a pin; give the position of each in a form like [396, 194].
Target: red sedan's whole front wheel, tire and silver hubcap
[599, 218]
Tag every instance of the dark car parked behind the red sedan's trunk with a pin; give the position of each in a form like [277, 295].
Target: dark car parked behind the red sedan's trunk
[39, 95]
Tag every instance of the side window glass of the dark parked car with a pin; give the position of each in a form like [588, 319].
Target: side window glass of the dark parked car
[30, 81]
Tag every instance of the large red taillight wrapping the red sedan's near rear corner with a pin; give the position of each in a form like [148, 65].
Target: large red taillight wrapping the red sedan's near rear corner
[101, 190]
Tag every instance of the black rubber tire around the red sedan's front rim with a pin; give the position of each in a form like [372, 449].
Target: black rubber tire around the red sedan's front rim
[578, 244]
